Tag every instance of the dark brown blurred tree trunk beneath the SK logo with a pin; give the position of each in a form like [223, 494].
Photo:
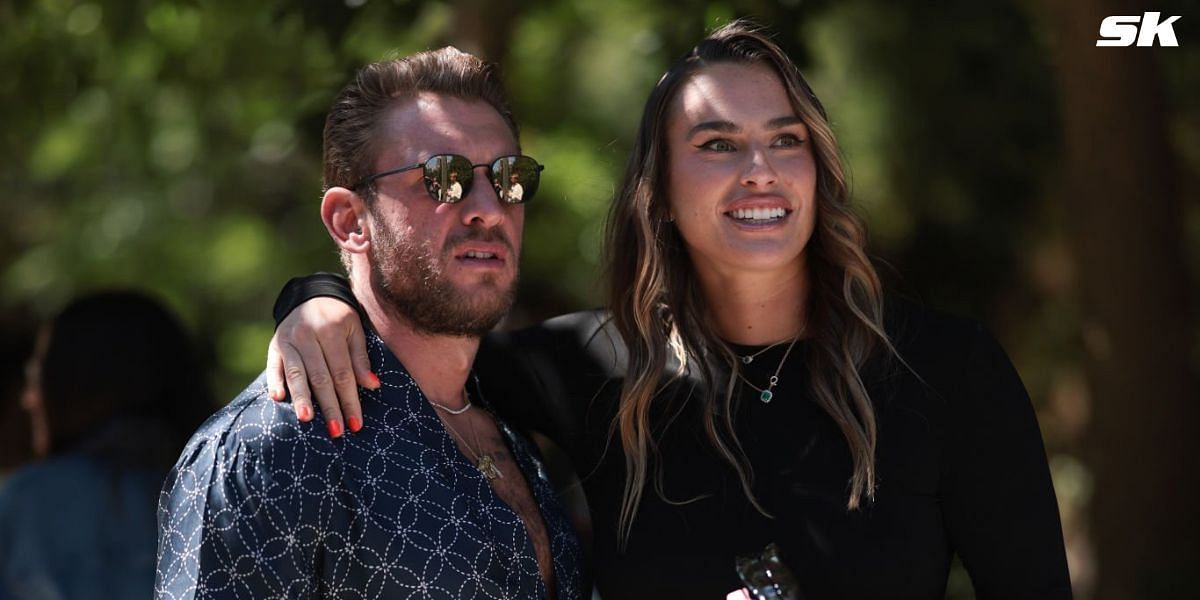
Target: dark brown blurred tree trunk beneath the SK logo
[1124, 223]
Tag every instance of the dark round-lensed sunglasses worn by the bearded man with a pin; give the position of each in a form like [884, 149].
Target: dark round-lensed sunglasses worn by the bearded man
[448, 177]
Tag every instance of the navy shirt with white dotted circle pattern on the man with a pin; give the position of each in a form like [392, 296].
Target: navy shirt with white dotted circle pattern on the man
[262, 506]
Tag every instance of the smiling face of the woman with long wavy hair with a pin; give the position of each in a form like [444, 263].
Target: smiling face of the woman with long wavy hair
[742, 178]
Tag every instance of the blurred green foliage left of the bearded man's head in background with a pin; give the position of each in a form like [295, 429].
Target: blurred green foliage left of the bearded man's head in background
[165, 146]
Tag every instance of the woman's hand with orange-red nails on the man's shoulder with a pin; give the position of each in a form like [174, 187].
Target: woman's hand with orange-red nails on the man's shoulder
[320, 350]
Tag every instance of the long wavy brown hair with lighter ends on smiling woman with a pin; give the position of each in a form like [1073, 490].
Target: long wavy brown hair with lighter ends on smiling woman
[661, 313]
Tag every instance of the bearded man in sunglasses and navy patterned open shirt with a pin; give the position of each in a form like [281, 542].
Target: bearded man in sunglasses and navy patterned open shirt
[435, 497]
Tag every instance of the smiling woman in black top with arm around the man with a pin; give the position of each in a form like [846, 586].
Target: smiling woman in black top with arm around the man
[751, 386]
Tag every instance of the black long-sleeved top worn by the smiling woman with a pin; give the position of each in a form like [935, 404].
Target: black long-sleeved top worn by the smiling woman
[962, 469]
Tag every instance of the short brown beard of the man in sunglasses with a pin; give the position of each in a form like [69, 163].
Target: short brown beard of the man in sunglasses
[407, 279]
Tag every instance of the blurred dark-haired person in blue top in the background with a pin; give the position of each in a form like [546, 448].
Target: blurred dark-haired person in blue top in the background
[113, 394]
